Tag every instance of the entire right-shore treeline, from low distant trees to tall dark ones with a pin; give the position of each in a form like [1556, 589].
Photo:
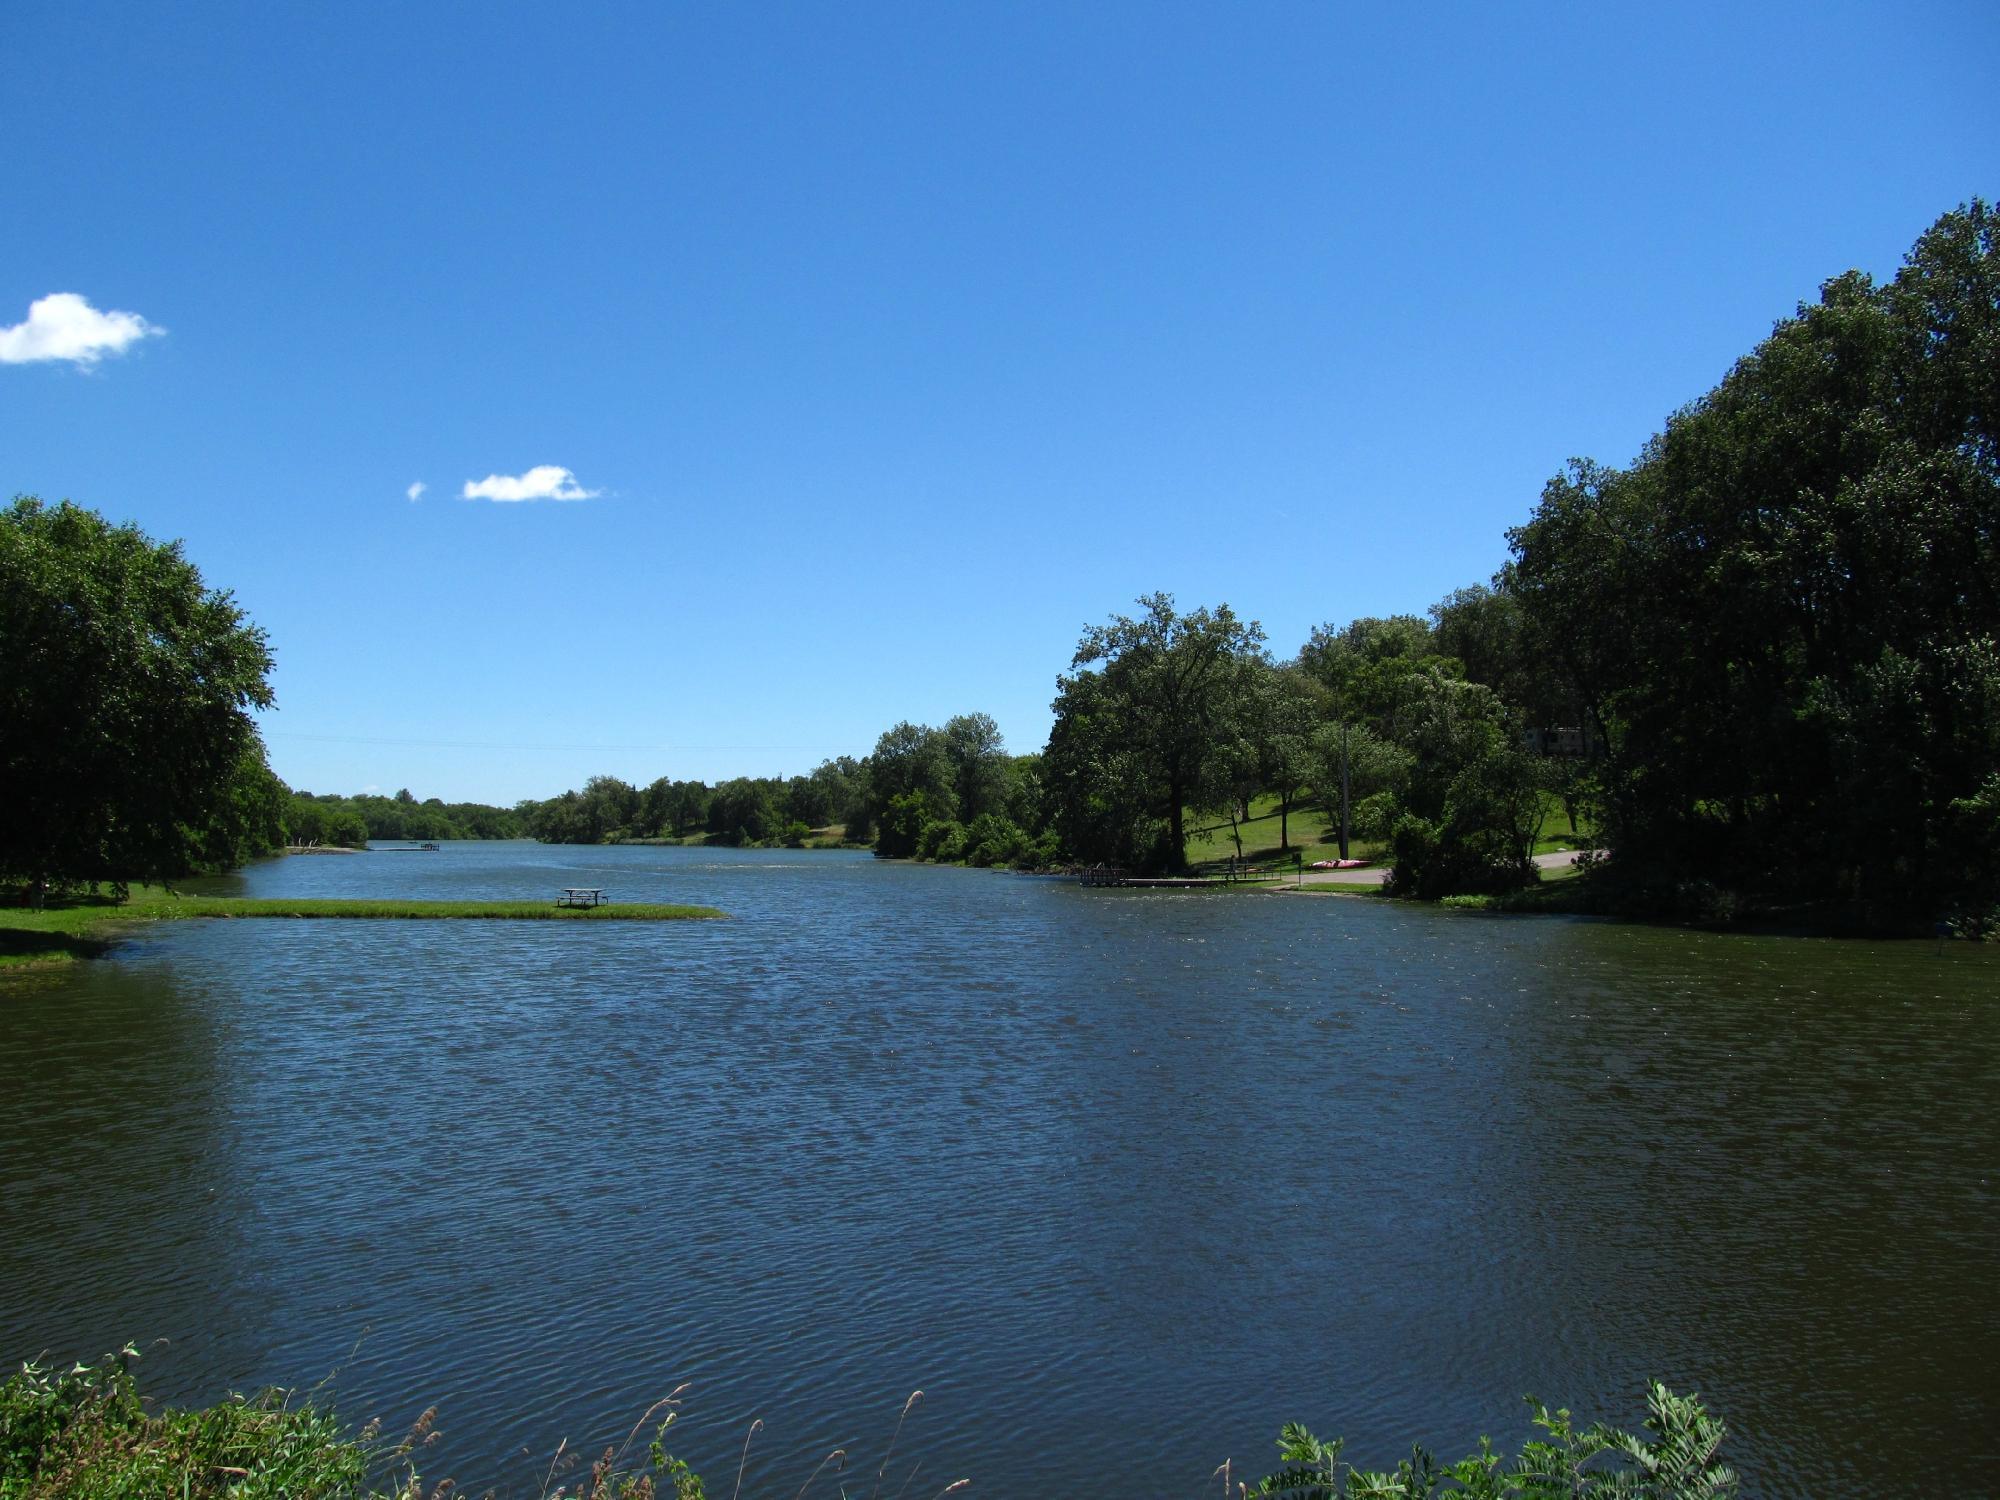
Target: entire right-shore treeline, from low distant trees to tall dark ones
[1763, 661]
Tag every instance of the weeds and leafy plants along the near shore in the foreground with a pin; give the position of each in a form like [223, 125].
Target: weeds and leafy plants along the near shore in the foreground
[85, 1435]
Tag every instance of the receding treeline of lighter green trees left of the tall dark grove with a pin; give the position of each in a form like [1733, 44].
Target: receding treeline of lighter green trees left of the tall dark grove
[1171, 715]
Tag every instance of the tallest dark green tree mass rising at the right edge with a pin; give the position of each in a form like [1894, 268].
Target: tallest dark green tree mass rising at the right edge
[1783, 619]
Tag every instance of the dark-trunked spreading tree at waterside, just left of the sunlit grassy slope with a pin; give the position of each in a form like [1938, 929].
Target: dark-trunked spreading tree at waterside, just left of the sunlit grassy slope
[1153, 717]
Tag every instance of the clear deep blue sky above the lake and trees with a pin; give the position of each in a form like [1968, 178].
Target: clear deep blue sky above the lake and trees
[895, 341]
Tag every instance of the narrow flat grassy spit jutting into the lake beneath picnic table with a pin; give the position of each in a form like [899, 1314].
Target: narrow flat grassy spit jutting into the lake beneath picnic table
[83, 927]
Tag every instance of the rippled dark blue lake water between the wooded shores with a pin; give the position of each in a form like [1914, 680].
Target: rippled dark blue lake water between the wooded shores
[1121, 1181]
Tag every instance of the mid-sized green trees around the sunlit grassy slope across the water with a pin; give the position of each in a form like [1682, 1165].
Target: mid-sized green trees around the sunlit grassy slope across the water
[1167, 713]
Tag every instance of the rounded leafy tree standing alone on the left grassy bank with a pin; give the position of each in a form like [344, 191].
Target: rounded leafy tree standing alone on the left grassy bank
[125, 699]
